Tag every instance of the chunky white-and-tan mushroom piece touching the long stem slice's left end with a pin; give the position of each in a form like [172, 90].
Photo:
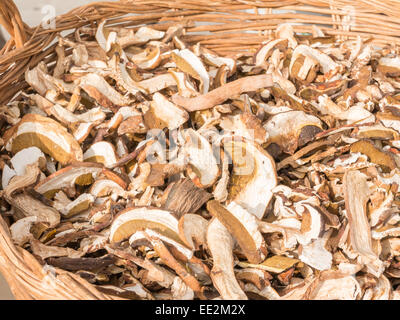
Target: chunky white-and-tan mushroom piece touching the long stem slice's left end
[164, 114]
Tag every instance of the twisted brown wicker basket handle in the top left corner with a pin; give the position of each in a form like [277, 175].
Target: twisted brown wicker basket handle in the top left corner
[11, 20]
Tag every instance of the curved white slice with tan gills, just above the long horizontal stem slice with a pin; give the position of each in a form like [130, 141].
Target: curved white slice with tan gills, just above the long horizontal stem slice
[188, 62]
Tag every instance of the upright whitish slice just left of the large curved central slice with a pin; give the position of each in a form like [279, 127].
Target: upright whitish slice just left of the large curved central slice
[203, 168]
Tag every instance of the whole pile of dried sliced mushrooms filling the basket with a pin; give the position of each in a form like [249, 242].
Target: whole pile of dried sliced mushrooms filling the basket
[158, 170]
